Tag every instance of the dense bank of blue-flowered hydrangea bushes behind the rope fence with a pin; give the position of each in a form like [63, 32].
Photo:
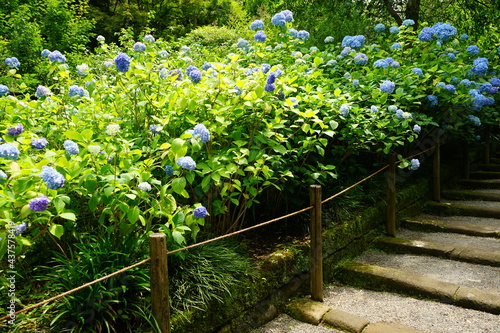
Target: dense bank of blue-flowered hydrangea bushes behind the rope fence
[151, 137]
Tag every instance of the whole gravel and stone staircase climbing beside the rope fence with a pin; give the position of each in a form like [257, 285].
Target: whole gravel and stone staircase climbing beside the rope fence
[440, 274]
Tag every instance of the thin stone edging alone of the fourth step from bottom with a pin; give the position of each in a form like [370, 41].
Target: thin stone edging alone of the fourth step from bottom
[466, 229]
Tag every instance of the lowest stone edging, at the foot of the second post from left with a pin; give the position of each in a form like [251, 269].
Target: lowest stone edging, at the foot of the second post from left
[309, 311]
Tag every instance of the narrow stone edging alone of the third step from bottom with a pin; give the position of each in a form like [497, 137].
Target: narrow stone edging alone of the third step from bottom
[458, 253]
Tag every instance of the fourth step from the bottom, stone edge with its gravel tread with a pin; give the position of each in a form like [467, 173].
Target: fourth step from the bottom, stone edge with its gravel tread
[474, 226]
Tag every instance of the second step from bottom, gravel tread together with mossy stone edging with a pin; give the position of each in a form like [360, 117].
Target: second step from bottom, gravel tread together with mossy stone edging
[427, 277]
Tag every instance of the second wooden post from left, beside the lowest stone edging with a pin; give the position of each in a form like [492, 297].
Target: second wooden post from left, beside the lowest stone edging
[316, 245]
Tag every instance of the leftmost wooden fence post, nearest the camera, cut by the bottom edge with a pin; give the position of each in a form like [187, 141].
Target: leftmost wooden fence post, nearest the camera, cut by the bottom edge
[159, 281]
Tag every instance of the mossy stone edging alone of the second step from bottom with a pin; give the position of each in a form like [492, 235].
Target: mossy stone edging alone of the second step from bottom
[416, 284]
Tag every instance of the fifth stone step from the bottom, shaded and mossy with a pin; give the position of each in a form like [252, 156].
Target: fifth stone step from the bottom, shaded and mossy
[487, 209]
